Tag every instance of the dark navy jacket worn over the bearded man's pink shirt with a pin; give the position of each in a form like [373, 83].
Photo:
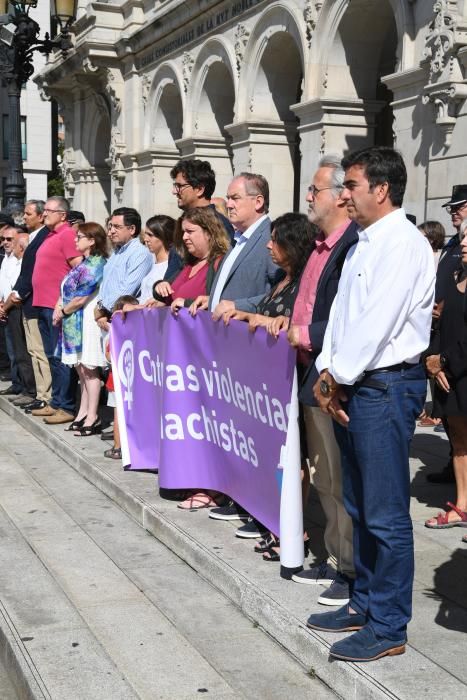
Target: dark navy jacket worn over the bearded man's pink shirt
[325, 293]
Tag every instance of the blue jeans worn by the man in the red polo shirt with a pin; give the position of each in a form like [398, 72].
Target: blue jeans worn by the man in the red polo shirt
[63, 393]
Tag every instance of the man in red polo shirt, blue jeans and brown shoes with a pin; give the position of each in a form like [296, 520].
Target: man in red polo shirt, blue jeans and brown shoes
[54, 259]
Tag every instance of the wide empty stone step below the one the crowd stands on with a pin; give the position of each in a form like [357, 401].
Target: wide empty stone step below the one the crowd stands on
[103, 610]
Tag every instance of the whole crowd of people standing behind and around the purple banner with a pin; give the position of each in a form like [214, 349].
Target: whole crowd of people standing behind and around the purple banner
[351, 284]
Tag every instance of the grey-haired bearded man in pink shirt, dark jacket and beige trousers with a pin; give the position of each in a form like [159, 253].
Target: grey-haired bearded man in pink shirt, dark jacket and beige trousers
[317, 290]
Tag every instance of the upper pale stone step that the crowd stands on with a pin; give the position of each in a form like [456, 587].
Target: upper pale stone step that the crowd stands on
[279, 607]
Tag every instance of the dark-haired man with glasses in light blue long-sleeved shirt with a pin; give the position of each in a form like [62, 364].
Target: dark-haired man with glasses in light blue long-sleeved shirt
[126, 268]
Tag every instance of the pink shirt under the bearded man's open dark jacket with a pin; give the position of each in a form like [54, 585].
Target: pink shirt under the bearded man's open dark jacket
[304, 304]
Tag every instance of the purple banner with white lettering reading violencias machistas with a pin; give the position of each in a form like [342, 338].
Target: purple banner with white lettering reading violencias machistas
[205, 404]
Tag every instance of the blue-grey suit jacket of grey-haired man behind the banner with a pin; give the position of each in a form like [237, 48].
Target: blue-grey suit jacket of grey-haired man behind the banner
[253, 272]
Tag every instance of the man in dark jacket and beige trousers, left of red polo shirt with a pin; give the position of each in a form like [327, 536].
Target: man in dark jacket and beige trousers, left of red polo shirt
[20, 301]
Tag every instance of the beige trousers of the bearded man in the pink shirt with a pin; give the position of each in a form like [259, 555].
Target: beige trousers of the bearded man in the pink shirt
[325, 462]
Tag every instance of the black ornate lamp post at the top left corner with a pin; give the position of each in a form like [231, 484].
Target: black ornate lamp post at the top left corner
[19, 39]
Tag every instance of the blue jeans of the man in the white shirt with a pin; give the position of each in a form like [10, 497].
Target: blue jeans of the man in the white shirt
[376, 490]
